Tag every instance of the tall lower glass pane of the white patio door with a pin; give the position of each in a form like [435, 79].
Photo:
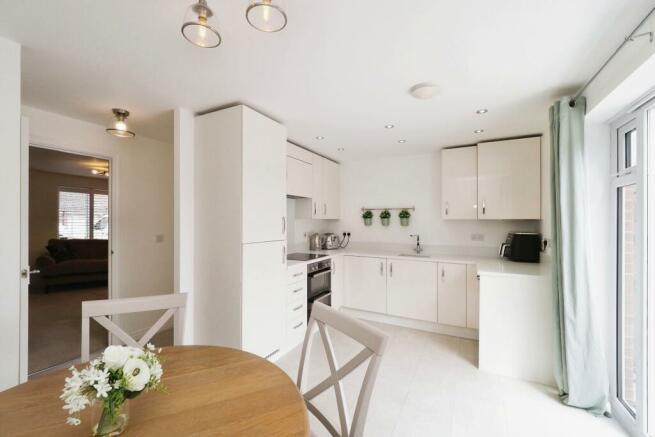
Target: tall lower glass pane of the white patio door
[626, 297]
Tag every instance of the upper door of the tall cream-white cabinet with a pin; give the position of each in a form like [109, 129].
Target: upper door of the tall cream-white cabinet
[264, 178]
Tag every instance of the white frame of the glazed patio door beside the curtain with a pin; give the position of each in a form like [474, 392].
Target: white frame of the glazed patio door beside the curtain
[620, 177]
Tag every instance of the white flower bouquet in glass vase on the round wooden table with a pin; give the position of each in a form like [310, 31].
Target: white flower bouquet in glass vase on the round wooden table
[122, 373]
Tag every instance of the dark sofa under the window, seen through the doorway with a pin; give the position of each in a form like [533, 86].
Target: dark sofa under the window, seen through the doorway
[69, 262]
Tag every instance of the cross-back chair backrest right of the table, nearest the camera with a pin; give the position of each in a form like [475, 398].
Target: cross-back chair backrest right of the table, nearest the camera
[374, 342]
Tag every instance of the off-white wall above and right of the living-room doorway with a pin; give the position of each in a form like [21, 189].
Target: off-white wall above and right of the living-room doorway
[142, 202]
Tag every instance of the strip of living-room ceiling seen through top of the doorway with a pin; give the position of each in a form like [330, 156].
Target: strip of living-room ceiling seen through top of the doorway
[55, 161]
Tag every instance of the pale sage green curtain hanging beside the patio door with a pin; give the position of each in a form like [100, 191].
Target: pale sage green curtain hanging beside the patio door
[580, 366]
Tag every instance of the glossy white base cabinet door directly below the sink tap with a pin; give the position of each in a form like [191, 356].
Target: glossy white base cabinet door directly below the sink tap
[412, 289]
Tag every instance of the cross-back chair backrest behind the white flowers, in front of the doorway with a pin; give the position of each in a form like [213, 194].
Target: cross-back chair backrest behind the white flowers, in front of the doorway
[100, 309]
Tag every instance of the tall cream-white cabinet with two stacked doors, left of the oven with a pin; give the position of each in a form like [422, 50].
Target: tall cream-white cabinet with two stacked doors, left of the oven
[240, 230]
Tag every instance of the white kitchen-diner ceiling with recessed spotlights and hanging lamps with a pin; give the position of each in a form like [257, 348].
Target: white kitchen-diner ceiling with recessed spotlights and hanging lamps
[341, 68]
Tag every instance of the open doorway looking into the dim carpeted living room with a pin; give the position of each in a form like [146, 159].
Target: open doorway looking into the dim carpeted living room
[68, 249]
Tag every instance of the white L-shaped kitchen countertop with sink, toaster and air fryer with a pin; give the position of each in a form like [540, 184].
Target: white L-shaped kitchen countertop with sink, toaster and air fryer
[486, 264]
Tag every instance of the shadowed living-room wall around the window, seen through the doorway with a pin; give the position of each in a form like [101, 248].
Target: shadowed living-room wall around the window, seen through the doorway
[44, 205]
